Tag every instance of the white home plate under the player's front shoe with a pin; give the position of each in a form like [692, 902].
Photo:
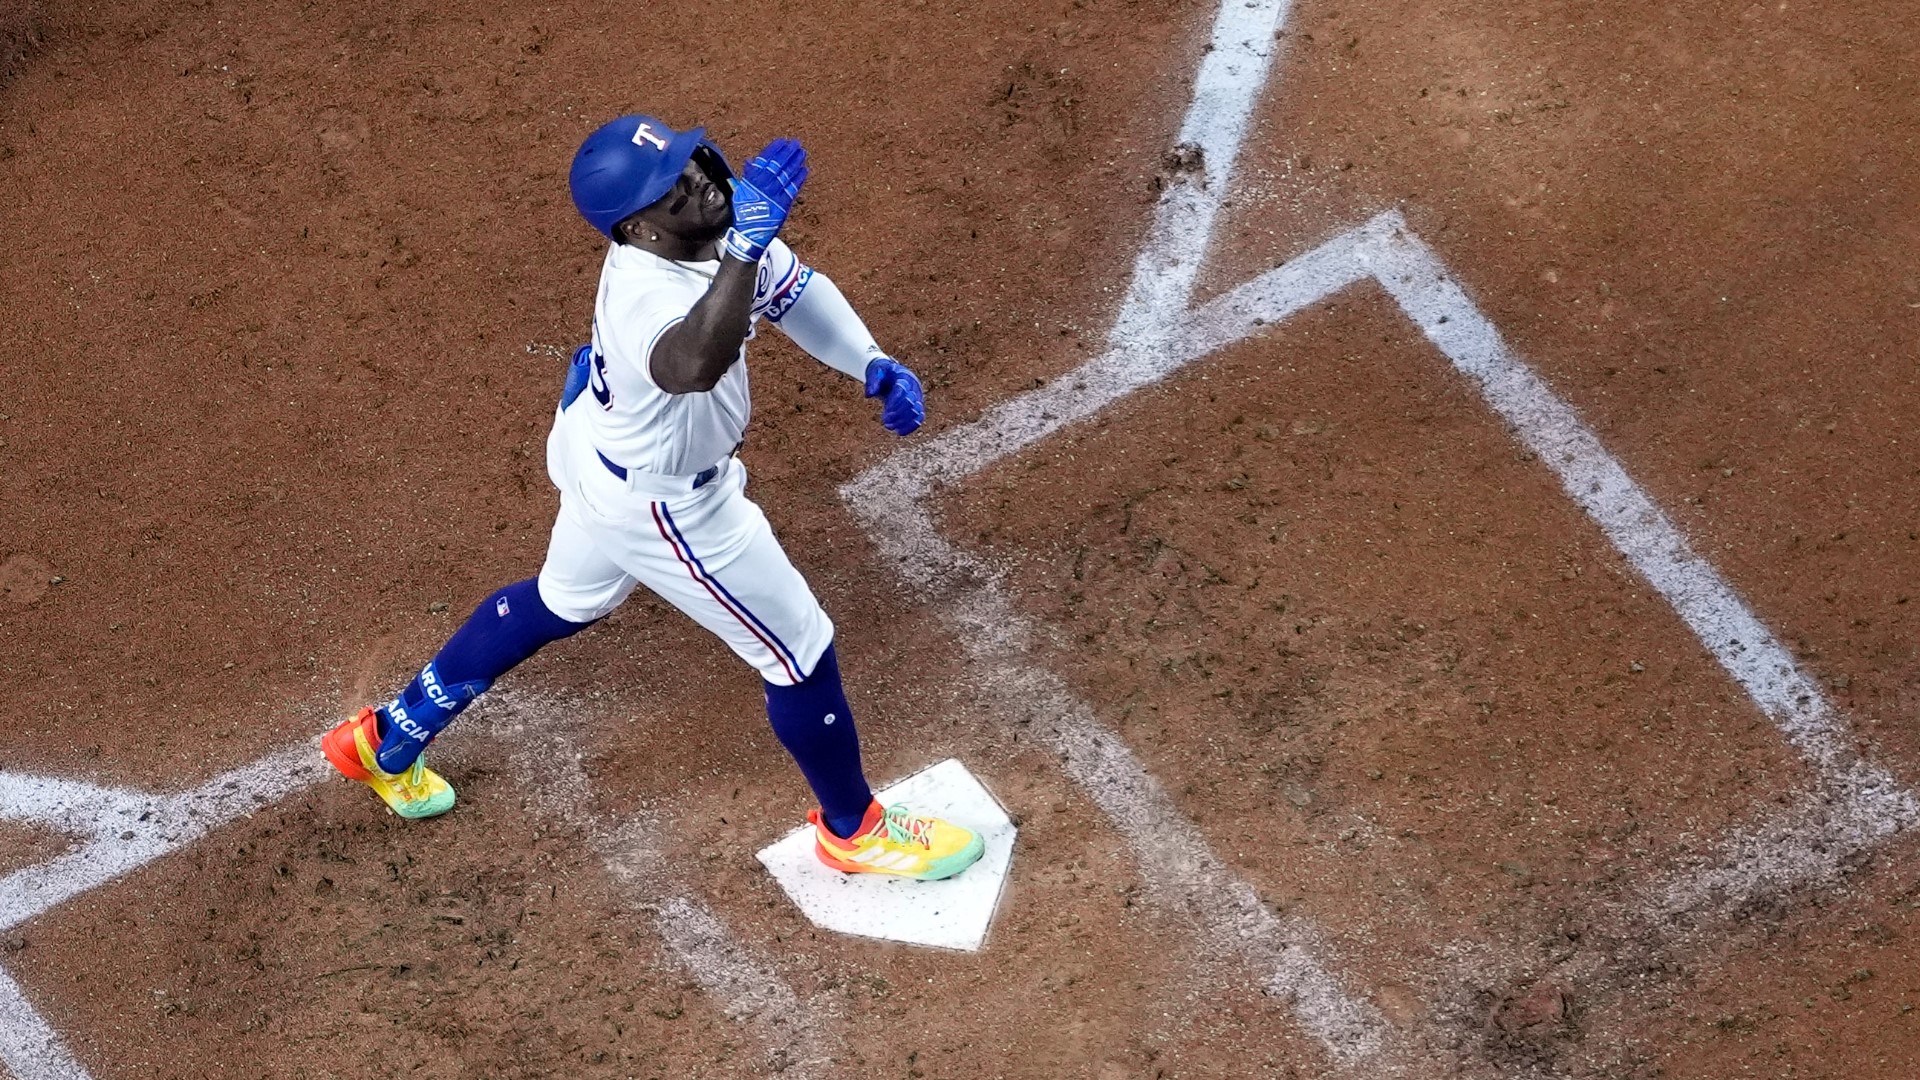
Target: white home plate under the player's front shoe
[949, 916]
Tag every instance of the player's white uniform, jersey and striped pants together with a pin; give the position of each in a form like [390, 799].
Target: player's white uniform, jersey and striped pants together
[650, 491]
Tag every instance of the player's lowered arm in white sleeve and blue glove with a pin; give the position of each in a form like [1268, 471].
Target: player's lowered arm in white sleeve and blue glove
[817, 316]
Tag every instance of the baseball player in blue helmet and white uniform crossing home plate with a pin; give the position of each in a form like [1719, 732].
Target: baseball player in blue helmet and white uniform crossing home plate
[652, 493]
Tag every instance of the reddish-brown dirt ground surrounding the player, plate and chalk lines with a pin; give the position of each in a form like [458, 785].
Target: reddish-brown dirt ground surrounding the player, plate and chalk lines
[287, 293]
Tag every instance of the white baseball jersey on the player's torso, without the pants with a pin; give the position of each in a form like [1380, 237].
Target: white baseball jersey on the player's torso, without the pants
[625, 414]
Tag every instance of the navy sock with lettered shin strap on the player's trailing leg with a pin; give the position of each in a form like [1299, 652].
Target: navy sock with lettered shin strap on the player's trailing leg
[506, 629]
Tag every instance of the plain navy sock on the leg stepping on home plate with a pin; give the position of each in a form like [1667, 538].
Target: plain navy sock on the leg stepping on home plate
[815, 724]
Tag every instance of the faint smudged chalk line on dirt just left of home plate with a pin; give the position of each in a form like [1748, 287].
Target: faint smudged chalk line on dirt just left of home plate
[546, 750]
